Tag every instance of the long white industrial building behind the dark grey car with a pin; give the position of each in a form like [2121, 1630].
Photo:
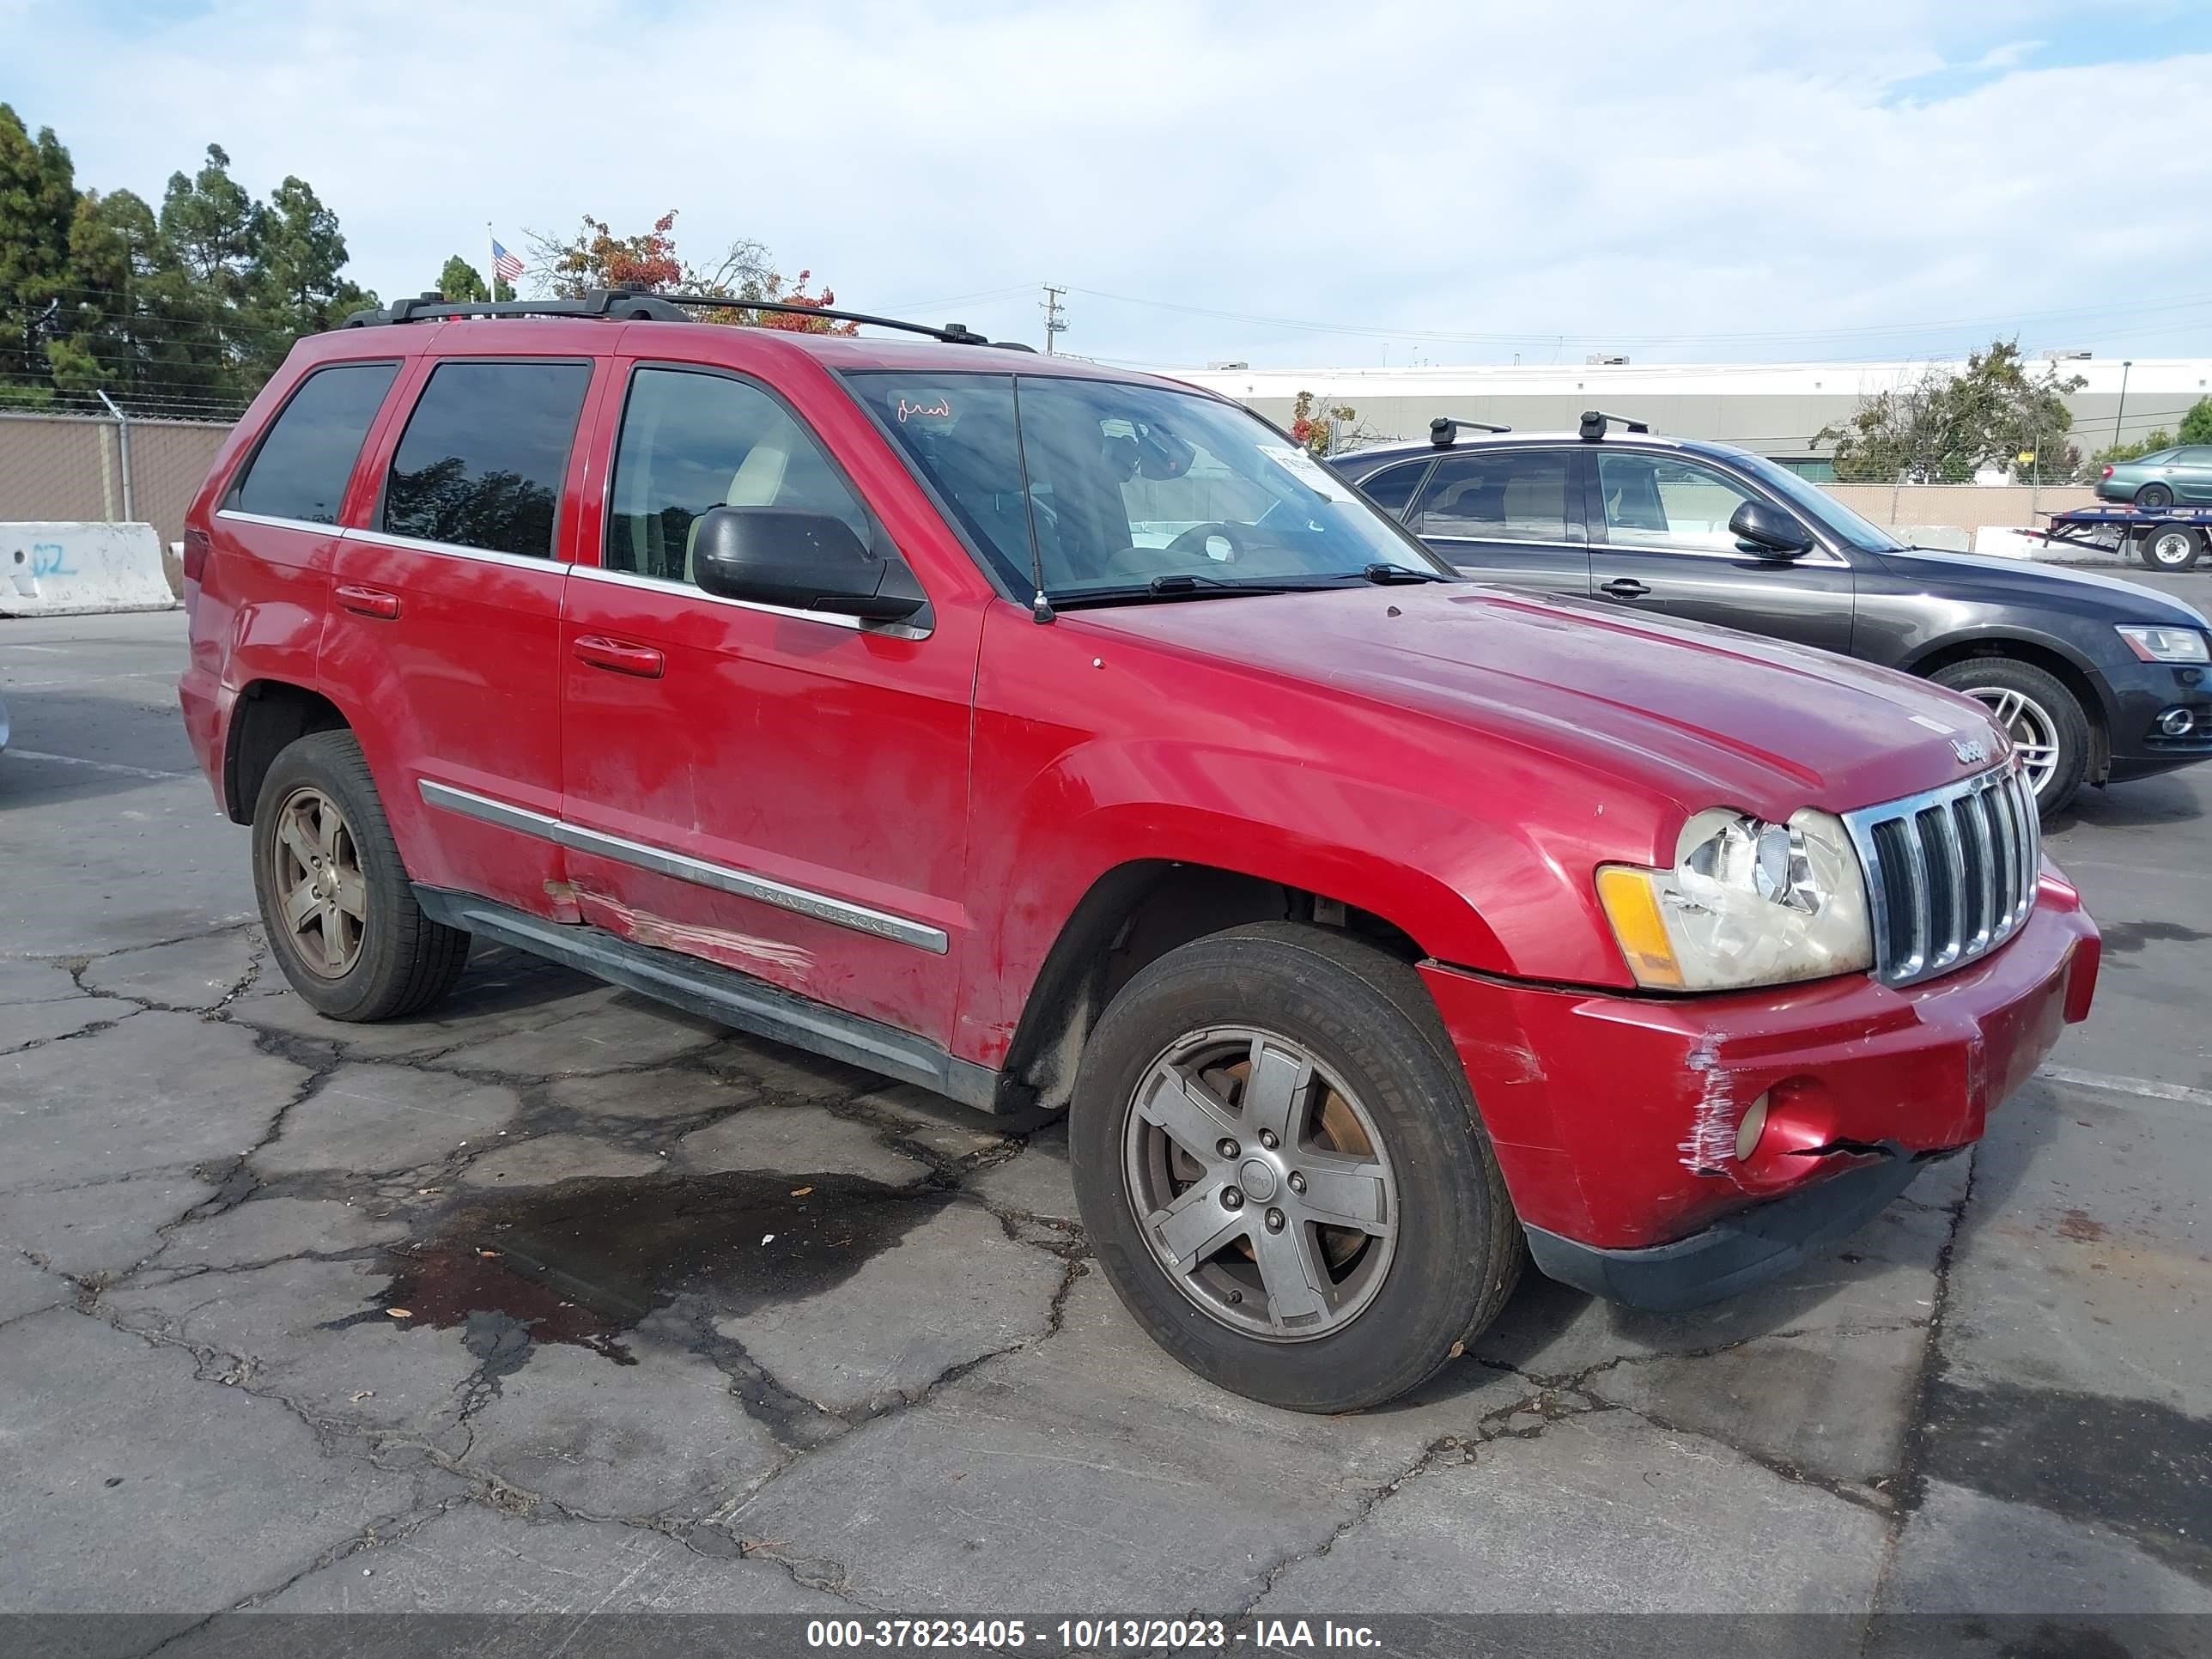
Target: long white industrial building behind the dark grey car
[1771, 408]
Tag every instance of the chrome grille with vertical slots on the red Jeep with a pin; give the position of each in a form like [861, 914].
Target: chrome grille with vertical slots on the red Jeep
[1950, 873]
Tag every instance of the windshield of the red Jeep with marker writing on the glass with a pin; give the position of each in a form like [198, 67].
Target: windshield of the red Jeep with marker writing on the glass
[1131, 490]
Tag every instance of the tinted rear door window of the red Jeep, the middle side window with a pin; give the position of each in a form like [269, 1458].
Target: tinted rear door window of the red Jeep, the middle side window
[483, 457]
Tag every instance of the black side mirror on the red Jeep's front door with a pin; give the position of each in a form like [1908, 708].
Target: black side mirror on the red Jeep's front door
[800, 561]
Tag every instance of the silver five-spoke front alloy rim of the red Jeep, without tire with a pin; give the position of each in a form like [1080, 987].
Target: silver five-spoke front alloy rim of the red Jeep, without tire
[1260, 1185]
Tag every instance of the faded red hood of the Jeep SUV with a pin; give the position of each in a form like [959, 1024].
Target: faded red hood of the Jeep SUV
[1702, 716]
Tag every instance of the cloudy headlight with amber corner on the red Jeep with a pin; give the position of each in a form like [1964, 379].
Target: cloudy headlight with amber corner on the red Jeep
[1746, 904]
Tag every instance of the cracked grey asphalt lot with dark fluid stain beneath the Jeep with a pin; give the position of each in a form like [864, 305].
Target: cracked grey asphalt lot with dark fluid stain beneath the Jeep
[561, 1302]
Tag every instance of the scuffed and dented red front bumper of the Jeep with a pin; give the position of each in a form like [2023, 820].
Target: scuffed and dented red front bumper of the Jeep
[1616, 1116]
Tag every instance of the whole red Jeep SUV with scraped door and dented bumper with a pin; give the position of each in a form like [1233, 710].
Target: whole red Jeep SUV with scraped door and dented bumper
[1061, 738]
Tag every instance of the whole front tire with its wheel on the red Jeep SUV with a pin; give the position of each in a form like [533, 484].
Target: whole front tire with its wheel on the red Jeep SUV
[1381, 1070]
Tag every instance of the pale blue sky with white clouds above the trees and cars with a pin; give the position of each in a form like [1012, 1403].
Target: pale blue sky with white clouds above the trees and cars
[1293, 185]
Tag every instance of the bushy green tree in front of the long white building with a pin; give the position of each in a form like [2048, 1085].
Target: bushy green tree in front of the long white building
[1950, 424]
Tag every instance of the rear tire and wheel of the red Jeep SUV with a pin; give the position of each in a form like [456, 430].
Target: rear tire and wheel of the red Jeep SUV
[366, 950]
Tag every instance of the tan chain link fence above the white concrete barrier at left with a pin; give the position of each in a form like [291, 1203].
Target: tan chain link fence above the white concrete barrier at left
[114, 466]
